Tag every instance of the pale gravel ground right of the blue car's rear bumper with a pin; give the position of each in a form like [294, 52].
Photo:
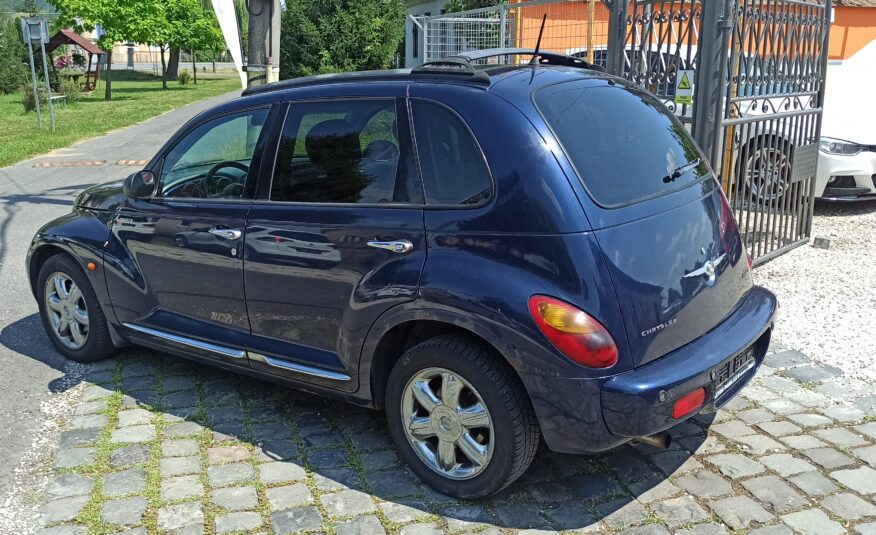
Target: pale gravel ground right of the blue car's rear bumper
[828, 297]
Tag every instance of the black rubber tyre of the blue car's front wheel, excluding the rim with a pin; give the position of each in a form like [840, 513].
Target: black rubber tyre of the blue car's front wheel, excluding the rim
[98, 343]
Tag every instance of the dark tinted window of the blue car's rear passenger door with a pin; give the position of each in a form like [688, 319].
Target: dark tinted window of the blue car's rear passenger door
[345, 152]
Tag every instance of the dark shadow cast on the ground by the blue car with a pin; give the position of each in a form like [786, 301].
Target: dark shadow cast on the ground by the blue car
[345, 447]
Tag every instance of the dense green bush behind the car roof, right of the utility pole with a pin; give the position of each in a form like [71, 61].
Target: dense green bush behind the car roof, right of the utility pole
[322, 36]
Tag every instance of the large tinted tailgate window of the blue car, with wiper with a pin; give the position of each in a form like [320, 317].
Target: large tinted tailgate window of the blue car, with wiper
[624, 144]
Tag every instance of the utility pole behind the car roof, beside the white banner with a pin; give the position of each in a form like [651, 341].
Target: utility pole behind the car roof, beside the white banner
[263, 48]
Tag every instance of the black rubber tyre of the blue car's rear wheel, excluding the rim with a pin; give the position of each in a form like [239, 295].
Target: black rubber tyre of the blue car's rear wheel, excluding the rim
[516, 432]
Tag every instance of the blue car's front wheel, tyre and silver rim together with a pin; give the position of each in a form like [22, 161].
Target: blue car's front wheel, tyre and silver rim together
[70, 312]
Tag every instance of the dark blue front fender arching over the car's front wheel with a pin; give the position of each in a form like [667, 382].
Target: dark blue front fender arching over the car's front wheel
[82, 234]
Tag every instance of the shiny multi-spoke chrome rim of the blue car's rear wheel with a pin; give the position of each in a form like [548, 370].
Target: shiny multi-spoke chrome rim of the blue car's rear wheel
[447, 423]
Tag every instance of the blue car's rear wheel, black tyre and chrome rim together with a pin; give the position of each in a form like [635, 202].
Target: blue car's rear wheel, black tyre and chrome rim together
[460, 417]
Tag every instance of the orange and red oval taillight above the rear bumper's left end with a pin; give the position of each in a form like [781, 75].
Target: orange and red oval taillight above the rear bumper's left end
[575, 333]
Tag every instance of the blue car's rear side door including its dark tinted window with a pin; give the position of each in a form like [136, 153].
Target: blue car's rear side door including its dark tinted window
[337, 239]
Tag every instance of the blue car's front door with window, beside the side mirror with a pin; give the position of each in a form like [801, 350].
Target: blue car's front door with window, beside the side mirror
[183, 283]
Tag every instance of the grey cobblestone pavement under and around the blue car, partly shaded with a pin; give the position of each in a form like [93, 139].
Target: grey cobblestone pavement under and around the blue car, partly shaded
[158, 445]
